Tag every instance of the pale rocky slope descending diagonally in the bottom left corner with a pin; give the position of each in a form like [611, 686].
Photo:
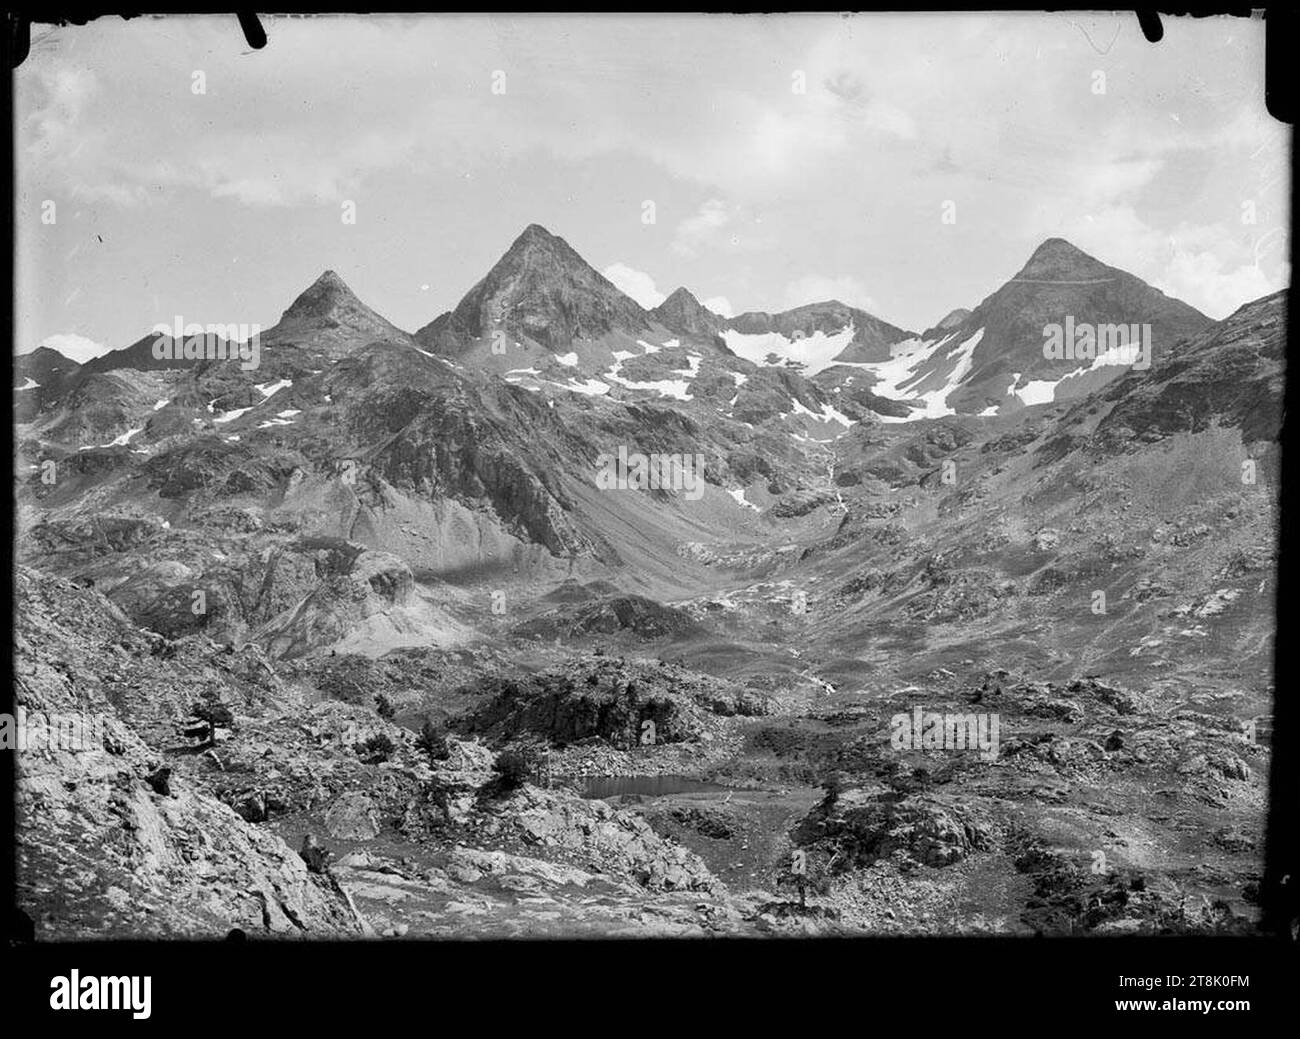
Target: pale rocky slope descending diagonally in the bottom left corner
[114, 839]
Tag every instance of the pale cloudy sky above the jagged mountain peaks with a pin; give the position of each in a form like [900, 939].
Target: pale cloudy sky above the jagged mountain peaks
[903, 164]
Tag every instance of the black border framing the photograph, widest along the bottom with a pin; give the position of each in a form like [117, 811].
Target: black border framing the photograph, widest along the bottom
[809, 984]
